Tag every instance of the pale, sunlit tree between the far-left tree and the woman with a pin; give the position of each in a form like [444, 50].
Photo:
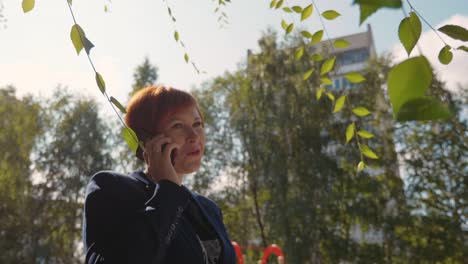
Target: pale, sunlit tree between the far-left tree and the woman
[74, 148]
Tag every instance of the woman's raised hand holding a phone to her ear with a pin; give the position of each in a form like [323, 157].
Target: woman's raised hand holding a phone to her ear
[158, 159]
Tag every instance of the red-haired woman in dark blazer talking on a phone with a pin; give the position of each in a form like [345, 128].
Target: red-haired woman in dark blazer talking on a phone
[149, 216]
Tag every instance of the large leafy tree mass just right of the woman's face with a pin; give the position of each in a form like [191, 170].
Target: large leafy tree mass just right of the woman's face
[289, 168]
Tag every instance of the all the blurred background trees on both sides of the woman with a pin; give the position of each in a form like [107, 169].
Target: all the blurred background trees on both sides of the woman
[276, 162]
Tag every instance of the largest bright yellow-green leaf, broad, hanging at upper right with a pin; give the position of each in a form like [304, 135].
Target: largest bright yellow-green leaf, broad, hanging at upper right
[408, 80]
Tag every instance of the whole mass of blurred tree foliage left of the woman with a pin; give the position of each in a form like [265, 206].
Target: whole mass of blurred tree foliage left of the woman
[43, 175]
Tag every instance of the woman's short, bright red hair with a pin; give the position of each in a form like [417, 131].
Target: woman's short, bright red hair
[151, 105]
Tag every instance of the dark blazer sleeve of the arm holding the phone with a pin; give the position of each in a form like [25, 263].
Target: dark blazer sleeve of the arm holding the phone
[118, 229]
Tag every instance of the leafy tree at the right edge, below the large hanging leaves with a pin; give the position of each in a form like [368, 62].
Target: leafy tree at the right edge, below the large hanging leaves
[434, 157]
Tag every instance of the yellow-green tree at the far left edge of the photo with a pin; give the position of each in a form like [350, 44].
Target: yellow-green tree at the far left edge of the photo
[20, 127]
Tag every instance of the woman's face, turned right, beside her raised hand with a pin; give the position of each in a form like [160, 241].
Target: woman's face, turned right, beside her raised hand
[185, 128]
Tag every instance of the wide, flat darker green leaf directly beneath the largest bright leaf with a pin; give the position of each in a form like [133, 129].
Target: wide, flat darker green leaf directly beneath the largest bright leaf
[423, 108]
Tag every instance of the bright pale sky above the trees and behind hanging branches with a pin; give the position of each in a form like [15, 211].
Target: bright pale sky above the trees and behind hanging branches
[36, 53]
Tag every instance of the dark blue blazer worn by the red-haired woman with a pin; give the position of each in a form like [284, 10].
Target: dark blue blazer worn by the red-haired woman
[129, 219]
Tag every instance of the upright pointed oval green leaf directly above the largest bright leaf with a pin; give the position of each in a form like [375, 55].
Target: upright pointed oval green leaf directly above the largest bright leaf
[409, 31]
